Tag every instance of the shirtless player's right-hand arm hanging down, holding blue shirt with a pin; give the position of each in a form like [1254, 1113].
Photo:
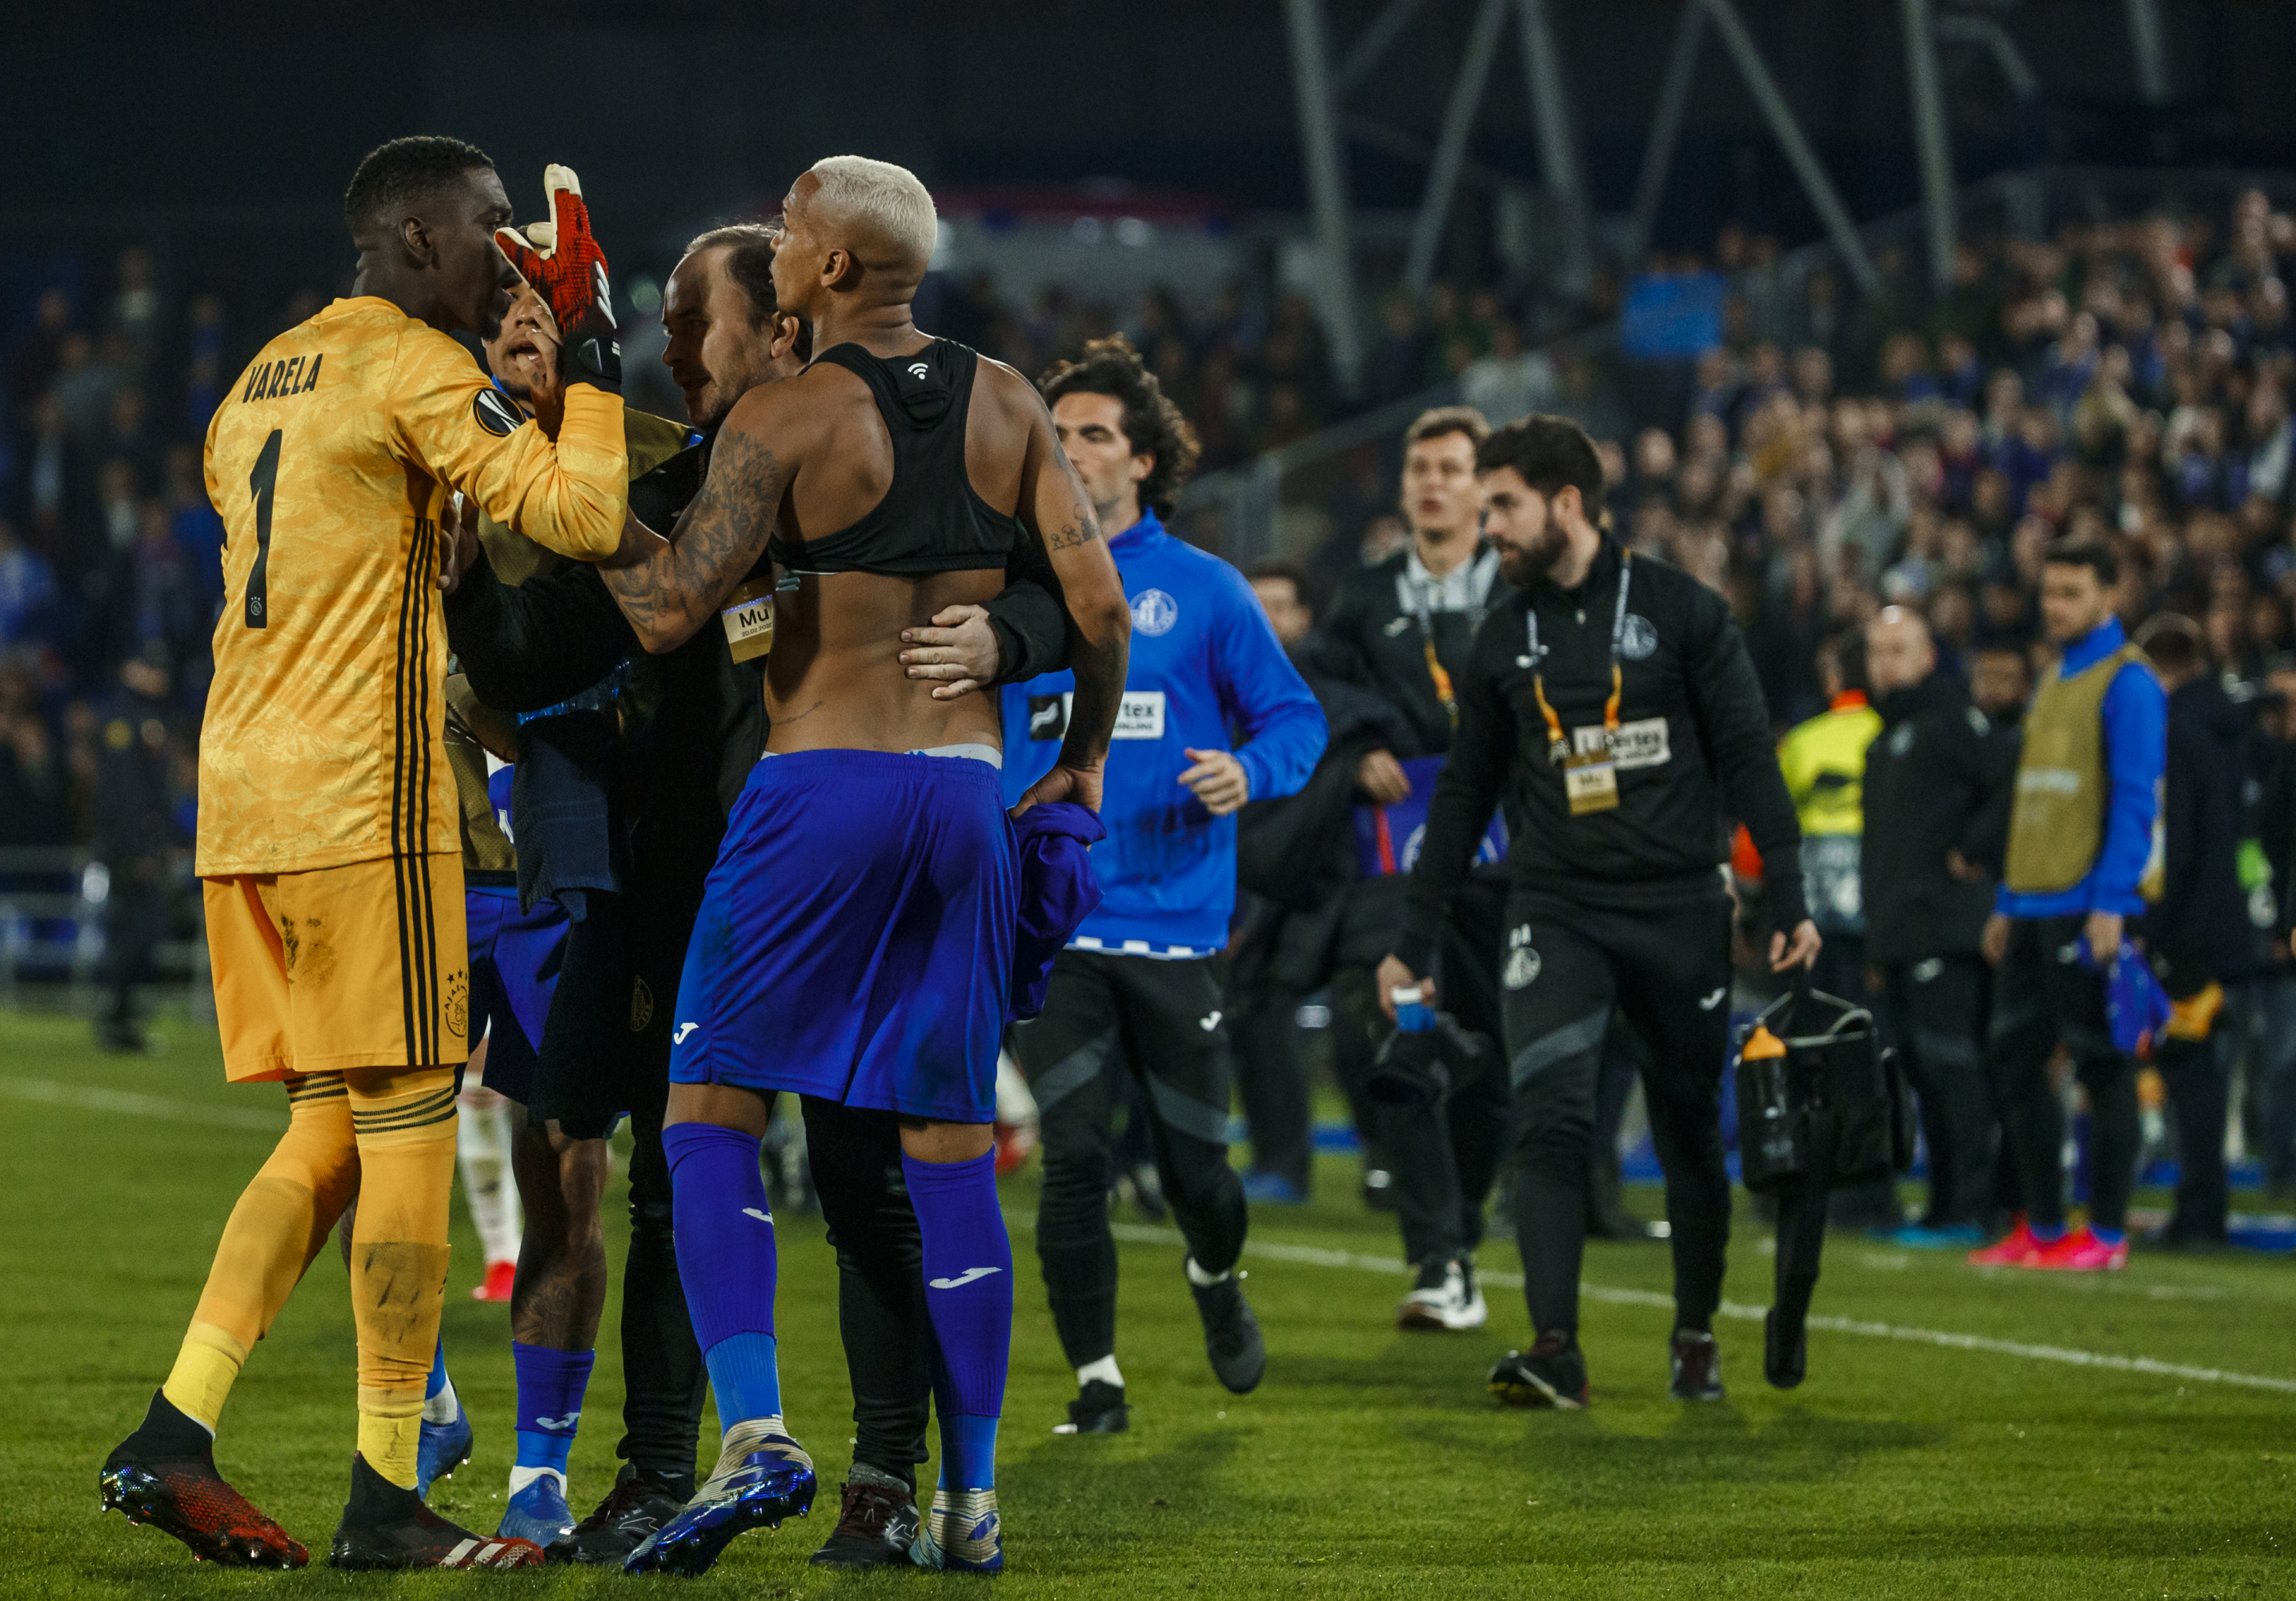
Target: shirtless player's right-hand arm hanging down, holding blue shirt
[1057, 511]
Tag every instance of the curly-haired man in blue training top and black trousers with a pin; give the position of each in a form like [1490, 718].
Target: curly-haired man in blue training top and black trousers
[1213, 716]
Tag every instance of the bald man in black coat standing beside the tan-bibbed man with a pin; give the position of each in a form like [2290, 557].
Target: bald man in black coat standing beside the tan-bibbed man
[1937, 803]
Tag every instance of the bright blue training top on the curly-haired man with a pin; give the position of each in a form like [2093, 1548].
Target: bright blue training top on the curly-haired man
[1209, 674]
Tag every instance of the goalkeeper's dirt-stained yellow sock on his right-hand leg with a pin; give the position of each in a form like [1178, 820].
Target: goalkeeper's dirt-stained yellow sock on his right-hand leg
[405, 1127]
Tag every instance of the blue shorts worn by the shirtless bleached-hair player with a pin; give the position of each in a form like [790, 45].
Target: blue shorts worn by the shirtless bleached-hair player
[858, 936]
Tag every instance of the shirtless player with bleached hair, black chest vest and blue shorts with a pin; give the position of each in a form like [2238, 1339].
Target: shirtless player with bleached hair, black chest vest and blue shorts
[858, 936]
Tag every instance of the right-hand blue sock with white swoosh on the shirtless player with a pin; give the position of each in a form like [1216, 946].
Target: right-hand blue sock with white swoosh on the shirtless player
[970, 1297]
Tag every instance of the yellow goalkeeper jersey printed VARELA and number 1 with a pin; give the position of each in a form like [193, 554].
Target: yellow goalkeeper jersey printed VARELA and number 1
[329, 463]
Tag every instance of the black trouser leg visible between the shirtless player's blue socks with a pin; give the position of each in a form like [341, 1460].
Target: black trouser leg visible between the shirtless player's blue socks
[883, 1320]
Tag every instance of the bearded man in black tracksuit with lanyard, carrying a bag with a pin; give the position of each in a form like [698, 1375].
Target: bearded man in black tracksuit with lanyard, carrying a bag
[1613, 706]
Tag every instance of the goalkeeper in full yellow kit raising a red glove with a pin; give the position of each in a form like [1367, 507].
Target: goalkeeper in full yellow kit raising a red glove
[329, 826]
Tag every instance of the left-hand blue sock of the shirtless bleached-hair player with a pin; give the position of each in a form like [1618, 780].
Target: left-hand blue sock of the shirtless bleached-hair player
[727, 1262]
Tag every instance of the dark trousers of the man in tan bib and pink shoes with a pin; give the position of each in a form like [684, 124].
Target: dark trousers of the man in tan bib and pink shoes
[2042, 996]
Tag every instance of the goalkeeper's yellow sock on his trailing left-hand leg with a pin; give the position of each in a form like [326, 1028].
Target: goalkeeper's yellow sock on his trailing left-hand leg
[277, 1228]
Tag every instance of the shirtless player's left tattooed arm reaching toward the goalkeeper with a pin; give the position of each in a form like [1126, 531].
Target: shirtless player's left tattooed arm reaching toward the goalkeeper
[669, 591]
